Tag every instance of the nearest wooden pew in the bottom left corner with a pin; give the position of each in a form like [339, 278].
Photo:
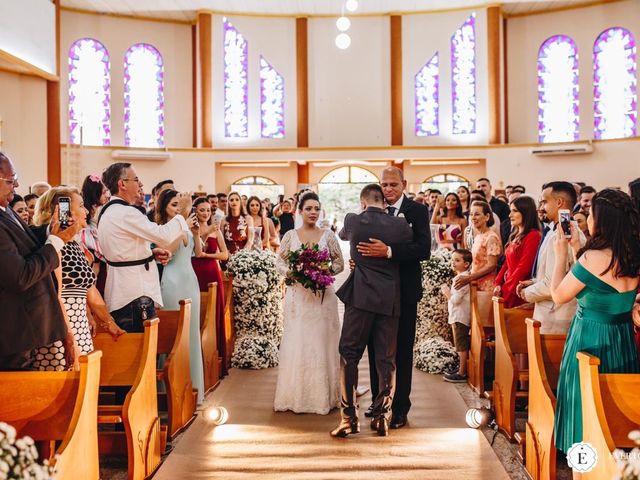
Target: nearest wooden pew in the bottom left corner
[58, 406]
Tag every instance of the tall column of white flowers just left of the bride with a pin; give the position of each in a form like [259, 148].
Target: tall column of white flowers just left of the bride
[257, 298]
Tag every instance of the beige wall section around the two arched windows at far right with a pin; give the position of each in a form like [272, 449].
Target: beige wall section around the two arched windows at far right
[524, 37]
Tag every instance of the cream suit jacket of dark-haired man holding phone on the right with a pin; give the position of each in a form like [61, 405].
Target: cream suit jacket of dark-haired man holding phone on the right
[554, 318]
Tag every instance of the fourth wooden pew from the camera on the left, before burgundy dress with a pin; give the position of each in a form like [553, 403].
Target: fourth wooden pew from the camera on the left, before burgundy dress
[209, 337]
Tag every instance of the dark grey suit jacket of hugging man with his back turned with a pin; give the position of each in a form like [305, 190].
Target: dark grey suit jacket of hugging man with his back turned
[374, 285]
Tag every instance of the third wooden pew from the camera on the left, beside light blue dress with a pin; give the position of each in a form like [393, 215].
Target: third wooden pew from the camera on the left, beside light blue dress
[173, 340]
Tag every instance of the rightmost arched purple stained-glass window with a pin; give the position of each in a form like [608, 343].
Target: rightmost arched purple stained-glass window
[614, 84]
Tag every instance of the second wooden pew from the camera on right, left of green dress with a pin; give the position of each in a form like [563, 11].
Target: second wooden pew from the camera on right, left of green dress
[545, 354]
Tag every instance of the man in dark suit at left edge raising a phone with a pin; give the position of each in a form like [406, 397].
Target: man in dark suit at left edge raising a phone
[31, 314]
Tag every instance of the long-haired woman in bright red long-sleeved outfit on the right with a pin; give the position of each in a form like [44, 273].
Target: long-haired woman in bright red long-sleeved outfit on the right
[520, 252]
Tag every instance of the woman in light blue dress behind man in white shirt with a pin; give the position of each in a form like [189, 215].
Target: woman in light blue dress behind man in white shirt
[179, 281]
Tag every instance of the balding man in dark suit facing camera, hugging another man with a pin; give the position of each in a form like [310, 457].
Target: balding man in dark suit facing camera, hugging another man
[409, 255]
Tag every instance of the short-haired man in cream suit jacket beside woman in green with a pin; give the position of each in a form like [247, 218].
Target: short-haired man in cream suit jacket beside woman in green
[554, 318]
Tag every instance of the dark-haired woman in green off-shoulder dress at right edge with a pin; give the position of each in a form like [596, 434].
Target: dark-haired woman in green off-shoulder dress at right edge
[604, 280]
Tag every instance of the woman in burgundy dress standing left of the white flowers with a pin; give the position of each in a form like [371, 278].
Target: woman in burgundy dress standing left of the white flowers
[207, 267]
